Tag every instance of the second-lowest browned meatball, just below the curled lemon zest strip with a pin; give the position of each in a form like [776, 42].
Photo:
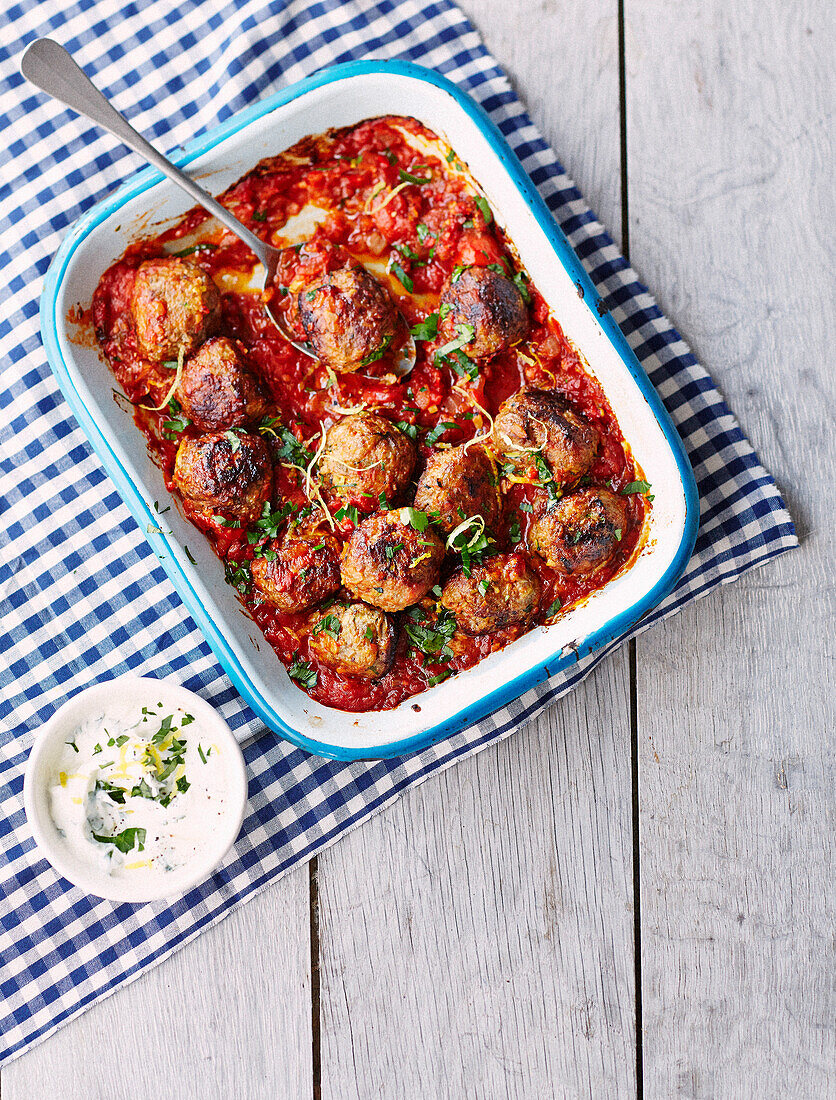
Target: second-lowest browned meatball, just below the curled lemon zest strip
[499, 593]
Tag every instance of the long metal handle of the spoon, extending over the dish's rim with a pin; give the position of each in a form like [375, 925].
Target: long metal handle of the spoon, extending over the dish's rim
[51, 69]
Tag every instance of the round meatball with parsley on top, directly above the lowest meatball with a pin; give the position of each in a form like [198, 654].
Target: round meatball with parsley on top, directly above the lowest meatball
[389, 564]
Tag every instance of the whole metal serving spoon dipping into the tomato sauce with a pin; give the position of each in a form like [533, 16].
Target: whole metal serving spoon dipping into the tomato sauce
[51, 69]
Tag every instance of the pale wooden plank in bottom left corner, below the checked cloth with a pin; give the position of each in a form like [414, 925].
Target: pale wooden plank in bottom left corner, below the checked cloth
[229, 1016]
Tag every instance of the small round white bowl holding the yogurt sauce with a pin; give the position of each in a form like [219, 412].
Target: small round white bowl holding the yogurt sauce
[43, 762]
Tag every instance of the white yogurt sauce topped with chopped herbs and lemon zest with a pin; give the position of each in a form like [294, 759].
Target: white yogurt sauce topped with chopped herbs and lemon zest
[139, 790]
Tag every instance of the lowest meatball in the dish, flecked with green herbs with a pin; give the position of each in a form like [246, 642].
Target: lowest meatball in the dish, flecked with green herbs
[354, 640]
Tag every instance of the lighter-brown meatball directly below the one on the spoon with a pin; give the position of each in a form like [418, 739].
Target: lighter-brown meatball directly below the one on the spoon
[367, 456]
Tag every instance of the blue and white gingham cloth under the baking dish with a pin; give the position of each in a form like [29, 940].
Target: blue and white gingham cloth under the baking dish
[82, 596]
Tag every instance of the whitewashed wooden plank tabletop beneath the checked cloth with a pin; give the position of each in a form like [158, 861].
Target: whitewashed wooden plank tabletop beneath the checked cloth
[634, 896]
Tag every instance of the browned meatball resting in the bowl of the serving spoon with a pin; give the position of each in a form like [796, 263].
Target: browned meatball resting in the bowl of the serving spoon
[348, 317]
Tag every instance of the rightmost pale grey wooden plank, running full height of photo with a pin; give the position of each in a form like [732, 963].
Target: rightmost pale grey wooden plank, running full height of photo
[731, 193]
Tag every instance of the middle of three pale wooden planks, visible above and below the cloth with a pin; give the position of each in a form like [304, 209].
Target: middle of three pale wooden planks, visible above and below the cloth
[477, 940]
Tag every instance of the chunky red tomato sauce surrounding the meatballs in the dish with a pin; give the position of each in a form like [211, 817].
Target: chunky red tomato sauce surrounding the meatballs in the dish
[389, 194]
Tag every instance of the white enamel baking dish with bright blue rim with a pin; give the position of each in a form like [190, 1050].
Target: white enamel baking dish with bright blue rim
[339, 97]
